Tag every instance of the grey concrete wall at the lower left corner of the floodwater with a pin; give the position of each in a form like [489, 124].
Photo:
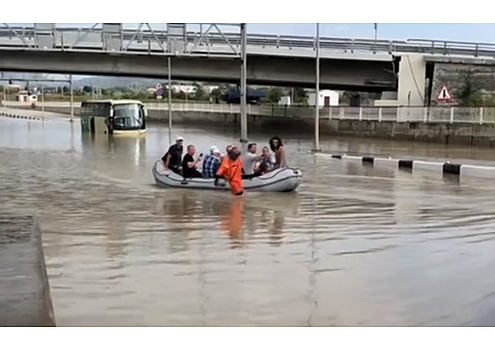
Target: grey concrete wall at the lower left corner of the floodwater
[24, 289]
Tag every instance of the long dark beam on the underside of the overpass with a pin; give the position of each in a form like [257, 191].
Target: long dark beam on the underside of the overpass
[282, 71]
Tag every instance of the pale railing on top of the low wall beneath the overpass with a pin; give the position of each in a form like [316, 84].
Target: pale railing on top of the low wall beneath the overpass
[475, 115]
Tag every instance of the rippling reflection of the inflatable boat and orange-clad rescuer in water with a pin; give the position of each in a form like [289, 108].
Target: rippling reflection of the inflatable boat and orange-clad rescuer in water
[241, 219]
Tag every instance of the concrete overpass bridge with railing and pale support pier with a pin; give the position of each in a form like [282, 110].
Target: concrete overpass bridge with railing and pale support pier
[212, 55]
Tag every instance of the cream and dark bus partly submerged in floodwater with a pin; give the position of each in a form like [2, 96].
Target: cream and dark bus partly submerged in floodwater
[113, 117]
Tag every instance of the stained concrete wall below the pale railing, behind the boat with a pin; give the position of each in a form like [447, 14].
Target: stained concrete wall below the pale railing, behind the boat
[438, 132]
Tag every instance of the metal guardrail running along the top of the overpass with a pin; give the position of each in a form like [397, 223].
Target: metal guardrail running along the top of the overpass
[228, 43]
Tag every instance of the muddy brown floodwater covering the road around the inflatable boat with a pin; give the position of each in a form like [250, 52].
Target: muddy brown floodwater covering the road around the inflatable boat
[355, 245]
